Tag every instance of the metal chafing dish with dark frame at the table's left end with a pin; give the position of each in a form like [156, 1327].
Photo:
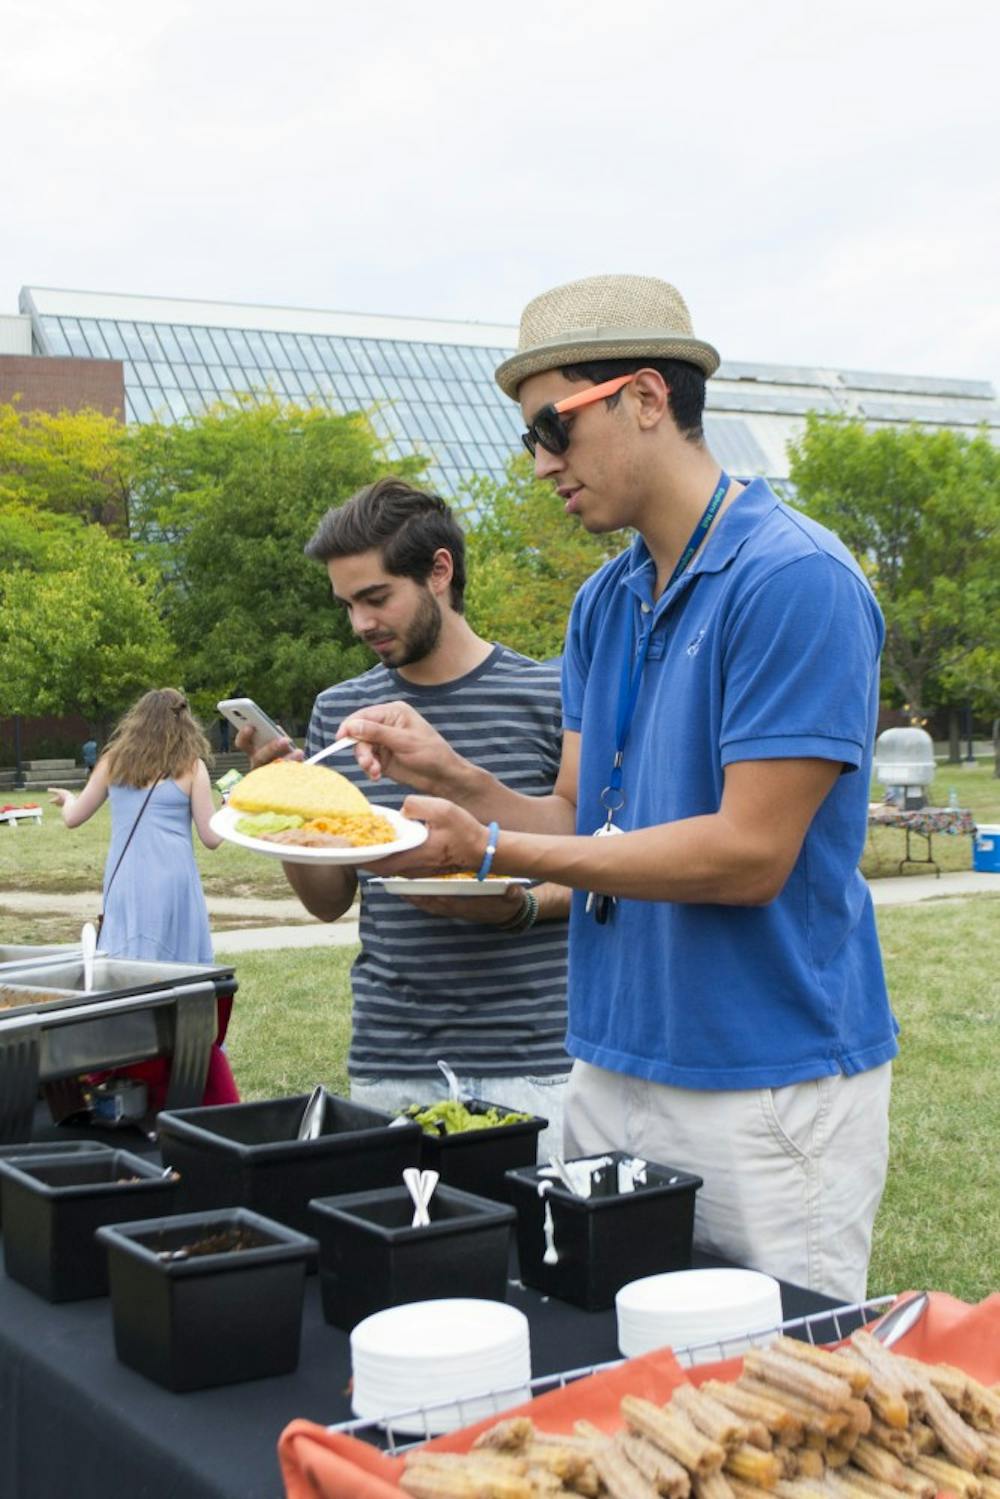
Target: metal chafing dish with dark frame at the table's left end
[53, 1029]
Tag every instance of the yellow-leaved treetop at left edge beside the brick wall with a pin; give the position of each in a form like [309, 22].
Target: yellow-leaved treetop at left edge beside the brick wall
[71, 464]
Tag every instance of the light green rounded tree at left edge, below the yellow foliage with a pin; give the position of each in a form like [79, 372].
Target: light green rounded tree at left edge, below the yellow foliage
[82, 633]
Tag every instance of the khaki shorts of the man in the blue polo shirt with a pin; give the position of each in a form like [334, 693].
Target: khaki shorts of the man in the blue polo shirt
[792, 1176]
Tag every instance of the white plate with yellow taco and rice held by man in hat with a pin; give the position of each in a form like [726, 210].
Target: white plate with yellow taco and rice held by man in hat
[311, 815]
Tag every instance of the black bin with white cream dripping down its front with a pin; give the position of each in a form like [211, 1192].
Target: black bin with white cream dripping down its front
[608, 1239]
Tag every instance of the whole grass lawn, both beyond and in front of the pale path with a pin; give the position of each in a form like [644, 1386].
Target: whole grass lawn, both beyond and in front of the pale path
[939, 1224]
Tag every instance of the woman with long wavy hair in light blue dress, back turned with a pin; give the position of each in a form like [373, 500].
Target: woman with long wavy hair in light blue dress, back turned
[154, 773]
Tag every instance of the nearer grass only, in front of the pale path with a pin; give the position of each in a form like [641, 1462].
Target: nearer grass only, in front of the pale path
[939, 1224]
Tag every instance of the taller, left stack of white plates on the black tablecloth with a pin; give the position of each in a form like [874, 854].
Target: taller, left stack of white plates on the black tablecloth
[428, 1356]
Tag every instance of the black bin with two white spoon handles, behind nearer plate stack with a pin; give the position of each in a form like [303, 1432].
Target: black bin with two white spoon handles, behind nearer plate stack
[371, 1257]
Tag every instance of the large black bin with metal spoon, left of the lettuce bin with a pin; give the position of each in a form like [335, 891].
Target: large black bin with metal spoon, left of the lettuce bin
[247, 1155]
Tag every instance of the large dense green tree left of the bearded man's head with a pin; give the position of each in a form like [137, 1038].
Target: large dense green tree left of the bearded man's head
[224, 507]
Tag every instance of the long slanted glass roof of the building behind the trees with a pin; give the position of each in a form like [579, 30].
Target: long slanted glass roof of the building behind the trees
[430, 383]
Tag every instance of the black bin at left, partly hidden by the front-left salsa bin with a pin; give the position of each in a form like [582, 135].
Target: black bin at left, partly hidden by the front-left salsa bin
[53, 1207]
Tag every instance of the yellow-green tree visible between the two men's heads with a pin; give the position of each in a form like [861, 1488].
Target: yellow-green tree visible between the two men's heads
[527, 560]
